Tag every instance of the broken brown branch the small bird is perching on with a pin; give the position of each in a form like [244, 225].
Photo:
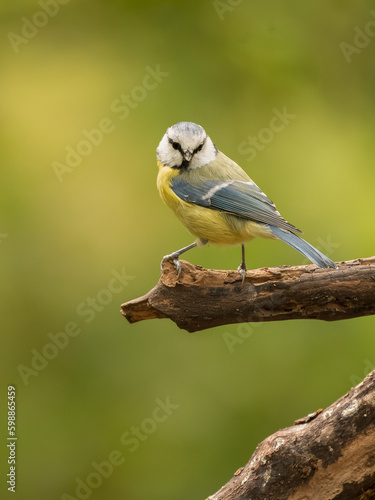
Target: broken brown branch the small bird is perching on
[204, 298]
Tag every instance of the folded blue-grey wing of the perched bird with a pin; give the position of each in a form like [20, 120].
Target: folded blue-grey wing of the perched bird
[240, 198]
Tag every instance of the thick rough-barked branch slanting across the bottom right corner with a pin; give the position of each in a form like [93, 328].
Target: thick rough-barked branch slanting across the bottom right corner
[328, 455]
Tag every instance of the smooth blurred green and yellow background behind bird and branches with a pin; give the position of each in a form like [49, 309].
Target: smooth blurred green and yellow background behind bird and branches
[228, 67]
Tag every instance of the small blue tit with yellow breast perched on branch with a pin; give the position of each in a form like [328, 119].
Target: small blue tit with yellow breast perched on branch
[216, 200]
